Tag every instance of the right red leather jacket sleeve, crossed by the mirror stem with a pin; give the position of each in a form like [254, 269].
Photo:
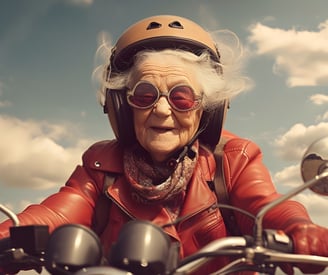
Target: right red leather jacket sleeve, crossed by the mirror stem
[250, 188]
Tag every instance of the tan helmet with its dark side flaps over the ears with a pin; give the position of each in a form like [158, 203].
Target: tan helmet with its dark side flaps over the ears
[159, 32]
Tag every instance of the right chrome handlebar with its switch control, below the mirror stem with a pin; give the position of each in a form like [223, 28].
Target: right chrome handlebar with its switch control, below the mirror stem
[276, 251]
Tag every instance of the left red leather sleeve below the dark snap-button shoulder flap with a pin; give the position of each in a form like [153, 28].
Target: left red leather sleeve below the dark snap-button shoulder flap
[74, 203]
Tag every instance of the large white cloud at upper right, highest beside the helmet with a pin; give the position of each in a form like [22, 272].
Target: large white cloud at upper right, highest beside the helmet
[301, 54]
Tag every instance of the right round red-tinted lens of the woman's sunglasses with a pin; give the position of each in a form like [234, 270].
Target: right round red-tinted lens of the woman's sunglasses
[183, 98]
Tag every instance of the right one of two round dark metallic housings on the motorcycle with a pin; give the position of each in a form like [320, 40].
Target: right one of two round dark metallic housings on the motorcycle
[143, 248]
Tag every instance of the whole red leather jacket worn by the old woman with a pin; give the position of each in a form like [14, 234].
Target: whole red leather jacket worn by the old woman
[248, 182]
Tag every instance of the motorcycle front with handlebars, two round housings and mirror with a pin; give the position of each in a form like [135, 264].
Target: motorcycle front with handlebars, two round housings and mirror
[144, 248]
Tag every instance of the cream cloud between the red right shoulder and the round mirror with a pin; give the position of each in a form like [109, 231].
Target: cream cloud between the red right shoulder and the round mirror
[292, 144]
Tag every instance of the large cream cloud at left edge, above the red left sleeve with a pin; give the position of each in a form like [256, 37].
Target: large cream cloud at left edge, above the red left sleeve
[33, 155]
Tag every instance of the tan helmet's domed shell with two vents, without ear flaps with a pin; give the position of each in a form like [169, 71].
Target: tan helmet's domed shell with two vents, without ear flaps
[161, 32]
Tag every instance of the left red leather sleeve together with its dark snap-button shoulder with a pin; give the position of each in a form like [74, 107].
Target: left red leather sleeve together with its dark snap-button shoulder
[75, 202]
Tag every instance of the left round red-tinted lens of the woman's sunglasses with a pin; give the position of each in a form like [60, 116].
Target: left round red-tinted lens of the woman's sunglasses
[145, 94]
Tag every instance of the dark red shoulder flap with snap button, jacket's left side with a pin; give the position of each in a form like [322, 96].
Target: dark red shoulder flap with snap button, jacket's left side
[106, 155]
